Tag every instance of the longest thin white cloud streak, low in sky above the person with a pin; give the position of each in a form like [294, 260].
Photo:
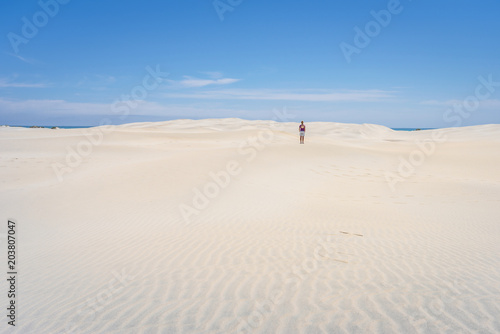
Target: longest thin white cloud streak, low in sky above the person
[288, 95]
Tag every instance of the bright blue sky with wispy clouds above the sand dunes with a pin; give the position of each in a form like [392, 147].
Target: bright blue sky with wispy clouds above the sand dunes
[415, 63]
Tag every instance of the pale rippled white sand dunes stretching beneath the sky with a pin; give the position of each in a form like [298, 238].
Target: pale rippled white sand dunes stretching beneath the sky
[334, 236]
